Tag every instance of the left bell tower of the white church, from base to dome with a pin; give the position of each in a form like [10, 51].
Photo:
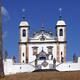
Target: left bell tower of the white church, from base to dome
[23, 41]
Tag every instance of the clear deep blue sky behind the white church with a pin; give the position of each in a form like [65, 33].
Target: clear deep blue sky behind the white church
[38, 12]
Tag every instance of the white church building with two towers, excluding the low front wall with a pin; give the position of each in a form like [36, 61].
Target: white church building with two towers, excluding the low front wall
[43, 45]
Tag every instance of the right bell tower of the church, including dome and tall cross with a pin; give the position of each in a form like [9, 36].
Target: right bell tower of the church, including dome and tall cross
[61, 39]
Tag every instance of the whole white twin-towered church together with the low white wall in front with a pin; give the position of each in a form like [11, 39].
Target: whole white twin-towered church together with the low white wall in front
[43, 50]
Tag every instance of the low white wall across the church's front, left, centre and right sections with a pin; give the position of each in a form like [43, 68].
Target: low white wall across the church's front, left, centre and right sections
[10, 68]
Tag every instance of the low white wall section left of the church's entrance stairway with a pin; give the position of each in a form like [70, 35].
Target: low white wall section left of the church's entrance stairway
[10, 68]
